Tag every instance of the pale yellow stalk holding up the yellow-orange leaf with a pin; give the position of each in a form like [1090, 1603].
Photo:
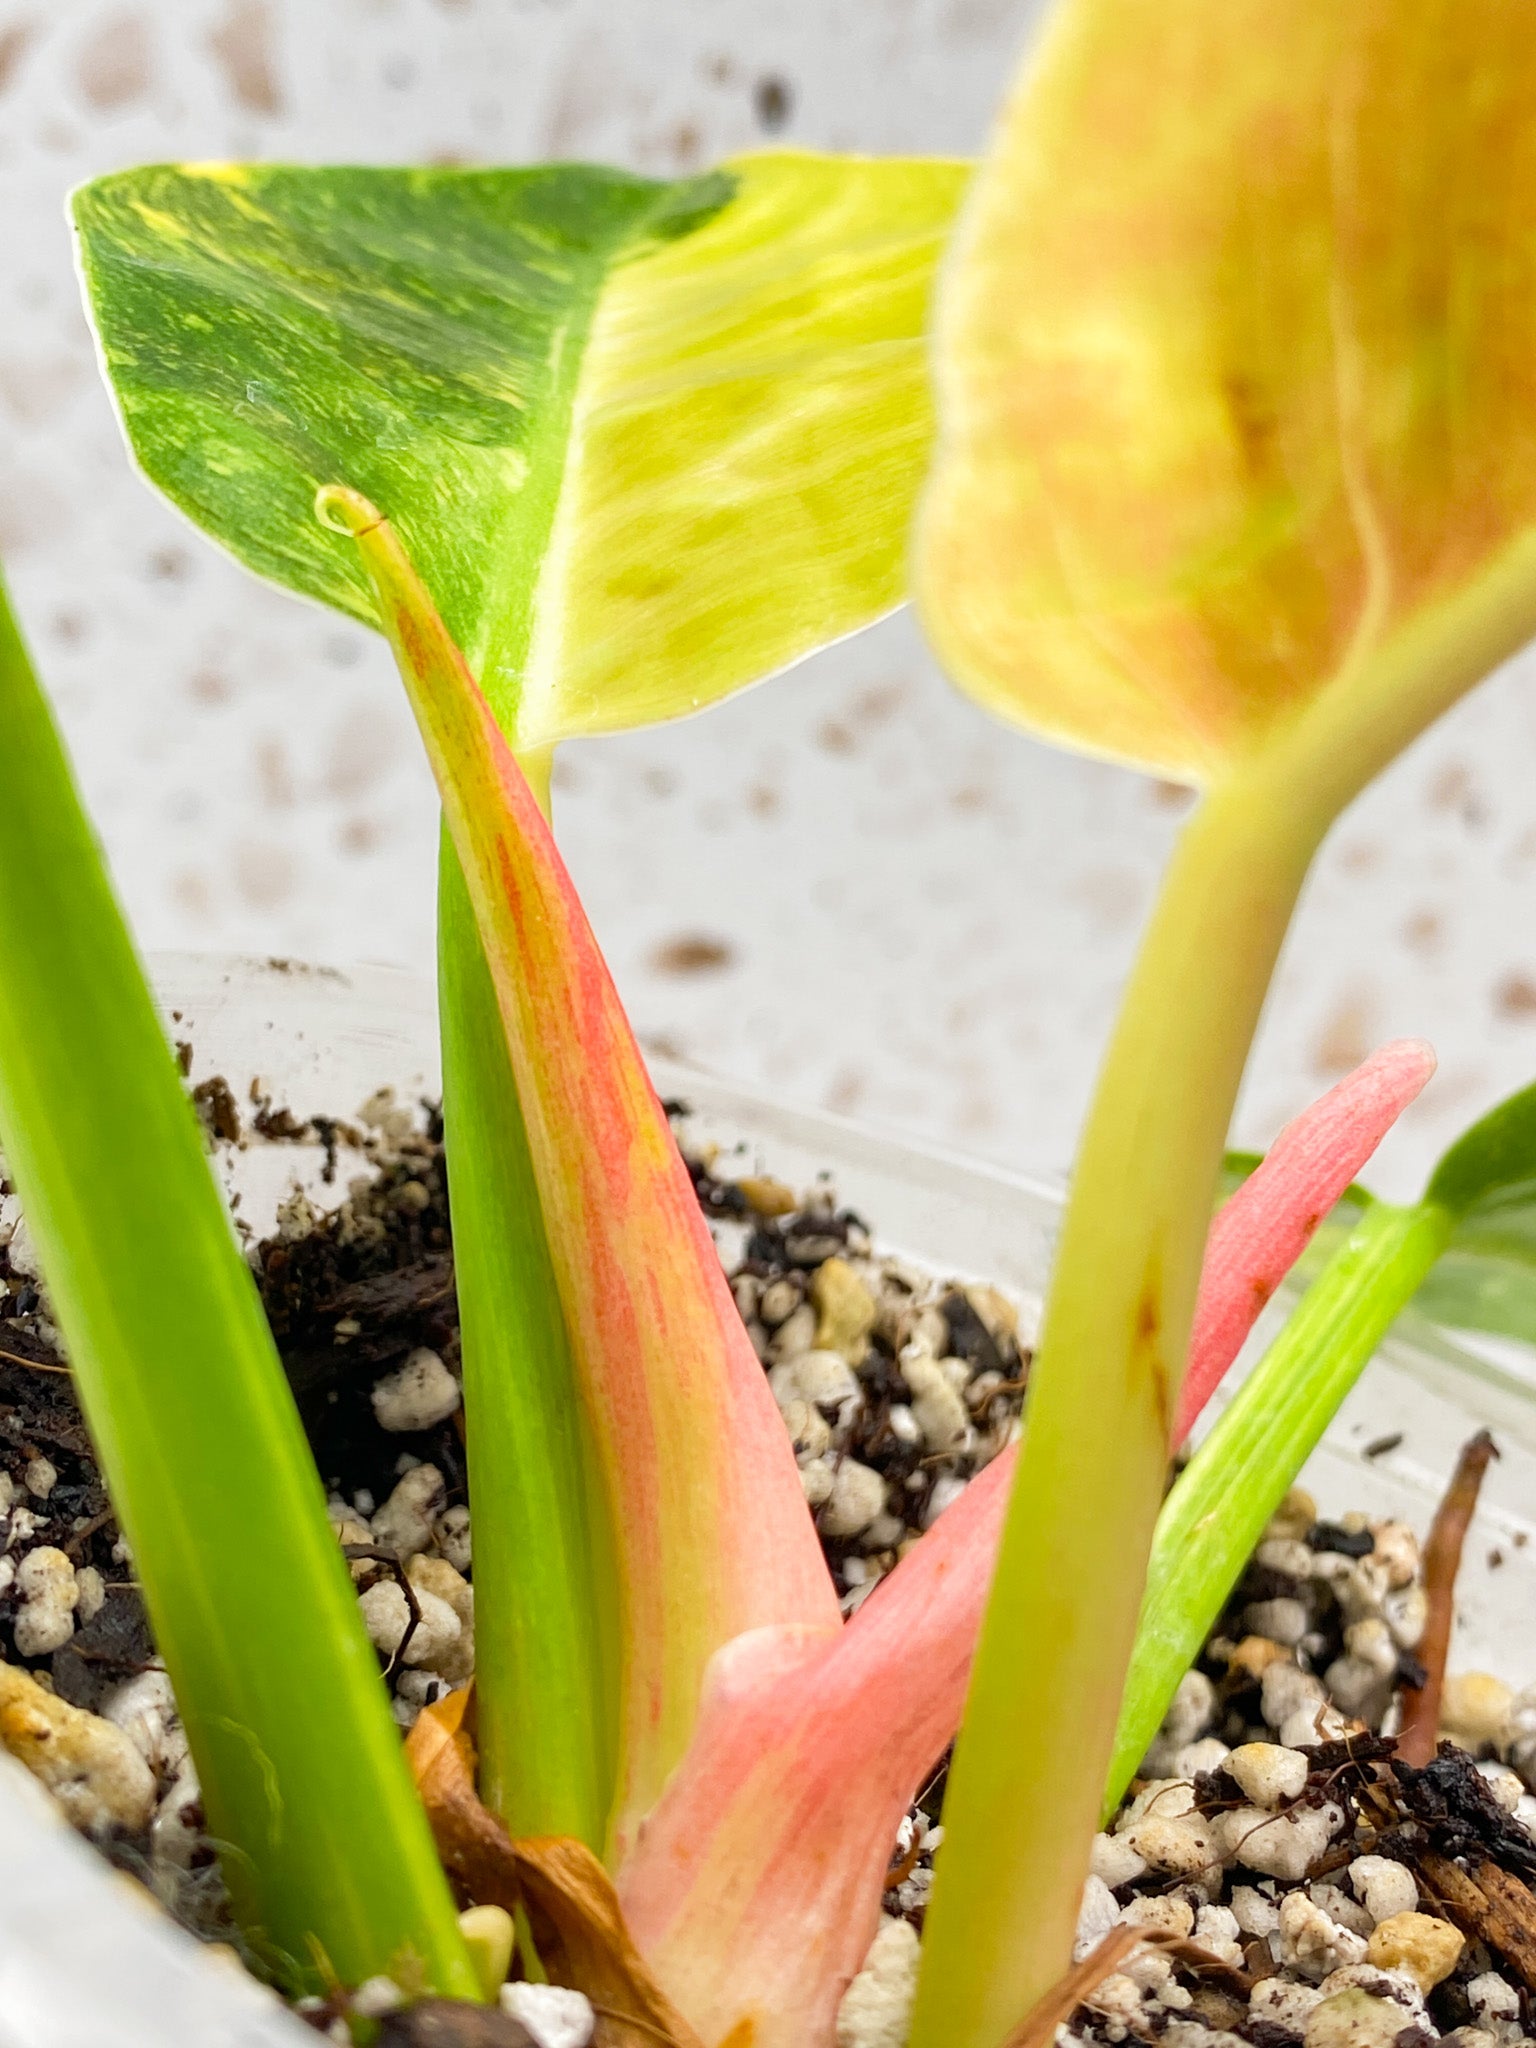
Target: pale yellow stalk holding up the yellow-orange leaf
[1068, 1590]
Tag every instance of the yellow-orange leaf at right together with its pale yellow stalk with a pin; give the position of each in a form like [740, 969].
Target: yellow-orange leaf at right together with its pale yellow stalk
[1234, 484]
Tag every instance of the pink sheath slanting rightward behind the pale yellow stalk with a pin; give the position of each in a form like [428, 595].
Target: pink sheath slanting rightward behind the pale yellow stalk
[755, 1887]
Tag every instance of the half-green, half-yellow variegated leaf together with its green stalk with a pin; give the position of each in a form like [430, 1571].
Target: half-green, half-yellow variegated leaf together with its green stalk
[646, 443]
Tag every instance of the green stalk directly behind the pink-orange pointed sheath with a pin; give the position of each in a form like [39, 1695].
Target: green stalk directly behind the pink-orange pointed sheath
[544, 1680]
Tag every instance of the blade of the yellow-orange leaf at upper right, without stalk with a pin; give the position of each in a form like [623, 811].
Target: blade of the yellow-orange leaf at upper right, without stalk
[1238, 372]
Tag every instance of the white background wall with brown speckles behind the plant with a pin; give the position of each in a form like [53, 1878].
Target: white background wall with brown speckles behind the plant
[849, 886]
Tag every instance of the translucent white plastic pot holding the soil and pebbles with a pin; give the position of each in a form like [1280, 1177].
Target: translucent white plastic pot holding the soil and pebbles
[89, 1963]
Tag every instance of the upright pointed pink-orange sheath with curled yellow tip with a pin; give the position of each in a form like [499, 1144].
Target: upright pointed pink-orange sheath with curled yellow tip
[712, 1535]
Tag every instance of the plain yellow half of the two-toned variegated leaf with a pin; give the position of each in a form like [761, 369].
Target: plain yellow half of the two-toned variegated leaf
[751, 433]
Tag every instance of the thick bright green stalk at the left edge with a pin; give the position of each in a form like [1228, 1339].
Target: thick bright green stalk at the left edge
[200, 1441]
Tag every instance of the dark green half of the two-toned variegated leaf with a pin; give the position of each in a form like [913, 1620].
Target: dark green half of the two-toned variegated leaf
[269, 329]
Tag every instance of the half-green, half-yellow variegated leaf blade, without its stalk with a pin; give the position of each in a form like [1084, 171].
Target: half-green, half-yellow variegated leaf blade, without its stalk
[646, 441]
